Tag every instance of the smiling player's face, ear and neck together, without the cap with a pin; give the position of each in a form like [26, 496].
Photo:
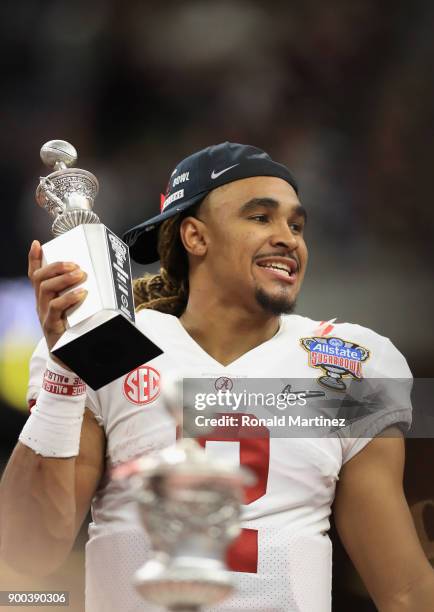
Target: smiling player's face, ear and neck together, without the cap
[255, 249]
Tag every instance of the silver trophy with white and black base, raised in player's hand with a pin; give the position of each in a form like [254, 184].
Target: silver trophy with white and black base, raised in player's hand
[101, 342]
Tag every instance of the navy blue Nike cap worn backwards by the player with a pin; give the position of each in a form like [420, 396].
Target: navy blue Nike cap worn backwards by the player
[192, 179]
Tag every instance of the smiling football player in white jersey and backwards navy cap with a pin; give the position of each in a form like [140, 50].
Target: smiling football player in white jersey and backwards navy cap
[231, 242]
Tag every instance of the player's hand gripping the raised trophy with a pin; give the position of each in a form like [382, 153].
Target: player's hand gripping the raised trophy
[48, 282]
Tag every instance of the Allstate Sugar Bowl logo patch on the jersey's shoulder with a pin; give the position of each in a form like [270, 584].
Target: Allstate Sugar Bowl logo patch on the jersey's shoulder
[337, 359]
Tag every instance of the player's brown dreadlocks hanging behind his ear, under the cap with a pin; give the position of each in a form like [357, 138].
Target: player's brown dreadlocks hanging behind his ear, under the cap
[168, 290]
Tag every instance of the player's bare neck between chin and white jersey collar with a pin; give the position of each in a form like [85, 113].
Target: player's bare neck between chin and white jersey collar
[229, 333]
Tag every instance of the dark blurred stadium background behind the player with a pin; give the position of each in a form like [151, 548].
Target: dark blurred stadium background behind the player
[341, 91]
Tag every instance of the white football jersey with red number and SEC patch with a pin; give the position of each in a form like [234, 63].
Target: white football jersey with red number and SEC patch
[284, 556]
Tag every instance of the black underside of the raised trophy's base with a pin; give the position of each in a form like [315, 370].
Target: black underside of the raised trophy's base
[104, 347]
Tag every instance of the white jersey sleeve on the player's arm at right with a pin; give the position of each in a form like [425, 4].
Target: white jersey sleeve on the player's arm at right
[385, 398]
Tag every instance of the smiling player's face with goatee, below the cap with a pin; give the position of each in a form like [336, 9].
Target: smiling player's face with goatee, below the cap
[255, 248]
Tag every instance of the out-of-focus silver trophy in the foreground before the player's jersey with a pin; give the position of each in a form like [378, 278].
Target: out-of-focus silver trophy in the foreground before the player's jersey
[190, 508]
